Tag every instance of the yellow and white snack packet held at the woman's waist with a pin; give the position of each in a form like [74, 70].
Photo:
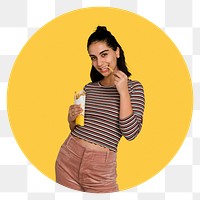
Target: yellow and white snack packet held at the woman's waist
[79, 99]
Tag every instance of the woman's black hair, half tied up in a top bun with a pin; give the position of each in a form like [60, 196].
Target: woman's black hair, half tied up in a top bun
[102, 34]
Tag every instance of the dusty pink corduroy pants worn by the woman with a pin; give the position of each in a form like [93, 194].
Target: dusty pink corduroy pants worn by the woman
[83, 169]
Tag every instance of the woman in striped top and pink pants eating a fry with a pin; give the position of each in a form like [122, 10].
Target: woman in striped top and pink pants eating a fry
[114, 108]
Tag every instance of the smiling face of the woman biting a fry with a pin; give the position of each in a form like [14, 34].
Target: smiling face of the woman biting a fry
[102, 57]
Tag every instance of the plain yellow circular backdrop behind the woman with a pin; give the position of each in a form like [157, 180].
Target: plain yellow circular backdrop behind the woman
[54, 63]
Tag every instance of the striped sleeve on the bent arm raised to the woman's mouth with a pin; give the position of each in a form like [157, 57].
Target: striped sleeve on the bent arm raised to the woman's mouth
[132, 125]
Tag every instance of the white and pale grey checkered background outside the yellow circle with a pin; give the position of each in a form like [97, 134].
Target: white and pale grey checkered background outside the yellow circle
[180, 19]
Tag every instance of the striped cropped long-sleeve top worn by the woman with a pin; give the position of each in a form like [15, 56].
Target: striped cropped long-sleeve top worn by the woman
[102, 123]
